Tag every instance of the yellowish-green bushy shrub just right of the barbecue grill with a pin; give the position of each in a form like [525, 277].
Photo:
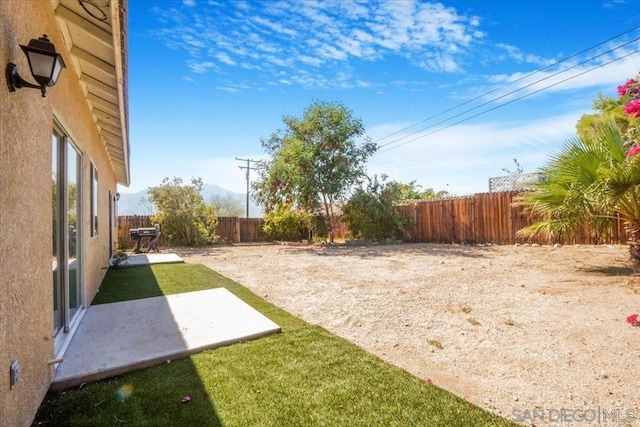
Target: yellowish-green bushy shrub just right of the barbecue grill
[183, 213]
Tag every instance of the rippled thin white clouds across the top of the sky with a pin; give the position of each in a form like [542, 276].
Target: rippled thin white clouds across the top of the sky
[321, 36]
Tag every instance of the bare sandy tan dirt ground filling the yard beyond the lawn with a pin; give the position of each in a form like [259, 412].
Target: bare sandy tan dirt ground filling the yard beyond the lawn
[523, 331]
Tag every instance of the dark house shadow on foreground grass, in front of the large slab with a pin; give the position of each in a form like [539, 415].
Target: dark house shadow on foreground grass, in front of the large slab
[151, 396]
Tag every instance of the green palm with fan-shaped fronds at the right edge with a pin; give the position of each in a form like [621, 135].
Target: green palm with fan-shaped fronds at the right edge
[590, 179]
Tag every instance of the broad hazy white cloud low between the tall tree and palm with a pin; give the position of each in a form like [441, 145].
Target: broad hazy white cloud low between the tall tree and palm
[461, 159]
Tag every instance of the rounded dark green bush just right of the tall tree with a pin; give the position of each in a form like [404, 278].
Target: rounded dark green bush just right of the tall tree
[372, 213]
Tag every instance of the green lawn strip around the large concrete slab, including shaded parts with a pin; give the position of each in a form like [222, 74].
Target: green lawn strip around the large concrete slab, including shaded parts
[303, 376]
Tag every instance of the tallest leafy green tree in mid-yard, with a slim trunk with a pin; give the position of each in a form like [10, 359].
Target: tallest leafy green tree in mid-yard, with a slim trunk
[315, 161]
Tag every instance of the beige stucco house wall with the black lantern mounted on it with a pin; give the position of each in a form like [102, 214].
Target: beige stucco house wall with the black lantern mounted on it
[26, 125]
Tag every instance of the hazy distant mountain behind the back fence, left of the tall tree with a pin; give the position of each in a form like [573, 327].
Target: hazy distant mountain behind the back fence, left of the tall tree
[134, 203]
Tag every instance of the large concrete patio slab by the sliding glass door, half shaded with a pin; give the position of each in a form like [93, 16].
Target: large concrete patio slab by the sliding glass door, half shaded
[116, 338]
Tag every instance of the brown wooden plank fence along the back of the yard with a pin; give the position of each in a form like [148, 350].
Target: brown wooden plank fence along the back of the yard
[481, 218]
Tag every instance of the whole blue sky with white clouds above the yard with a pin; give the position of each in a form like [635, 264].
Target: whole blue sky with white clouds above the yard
[209, 79]
